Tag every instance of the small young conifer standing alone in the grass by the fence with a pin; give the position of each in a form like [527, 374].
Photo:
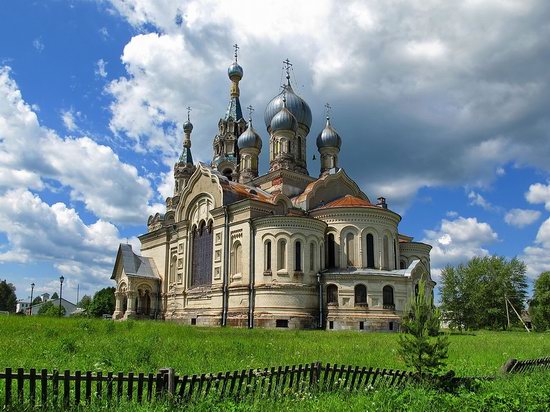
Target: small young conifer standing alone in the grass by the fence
[421, 346]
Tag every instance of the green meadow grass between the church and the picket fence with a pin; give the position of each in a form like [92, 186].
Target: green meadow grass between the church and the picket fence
[144, 346]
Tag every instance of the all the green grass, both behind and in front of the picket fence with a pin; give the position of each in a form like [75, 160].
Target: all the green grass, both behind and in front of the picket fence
[82, 344]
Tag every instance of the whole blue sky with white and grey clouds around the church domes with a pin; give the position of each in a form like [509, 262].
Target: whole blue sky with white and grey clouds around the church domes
[442, 108]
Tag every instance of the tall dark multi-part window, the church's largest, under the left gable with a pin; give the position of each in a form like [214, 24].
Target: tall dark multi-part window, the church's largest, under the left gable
[201, 263]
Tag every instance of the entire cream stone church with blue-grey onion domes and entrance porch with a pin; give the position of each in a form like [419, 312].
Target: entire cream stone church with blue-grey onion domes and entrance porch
[283, 249]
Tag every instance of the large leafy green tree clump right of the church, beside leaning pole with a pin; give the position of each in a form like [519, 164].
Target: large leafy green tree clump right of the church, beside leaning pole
[473, 295]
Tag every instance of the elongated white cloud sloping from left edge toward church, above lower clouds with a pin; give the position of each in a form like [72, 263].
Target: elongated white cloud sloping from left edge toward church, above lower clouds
[30, 152]
